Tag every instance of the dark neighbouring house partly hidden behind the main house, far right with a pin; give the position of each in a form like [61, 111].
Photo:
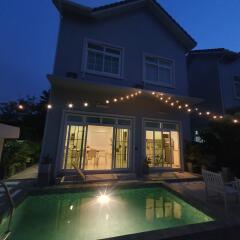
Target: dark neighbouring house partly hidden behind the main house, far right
[214, 75]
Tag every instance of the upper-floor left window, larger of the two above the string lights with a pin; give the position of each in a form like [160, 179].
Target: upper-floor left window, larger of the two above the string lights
[103, 59]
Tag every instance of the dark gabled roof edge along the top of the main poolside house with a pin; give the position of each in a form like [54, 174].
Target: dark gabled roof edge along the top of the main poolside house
[69, 7]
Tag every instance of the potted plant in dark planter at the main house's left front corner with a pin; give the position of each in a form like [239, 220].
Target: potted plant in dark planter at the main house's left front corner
[45, 169]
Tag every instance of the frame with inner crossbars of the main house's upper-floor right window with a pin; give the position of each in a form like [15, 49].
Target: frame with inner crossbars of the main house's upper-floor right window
[159, 83]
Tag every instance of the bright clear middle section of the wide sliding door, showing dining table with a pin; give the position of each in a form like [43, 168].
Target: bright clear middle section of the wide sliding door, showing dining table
[99, 148]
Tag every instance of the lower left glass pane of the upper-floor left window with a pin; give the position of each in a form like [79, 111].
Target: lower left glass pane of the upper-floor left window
[95, 61]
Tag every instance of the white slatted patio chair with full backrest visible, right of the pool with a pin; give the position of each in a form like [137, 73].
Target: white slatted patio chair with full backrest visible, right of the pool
[214, 183]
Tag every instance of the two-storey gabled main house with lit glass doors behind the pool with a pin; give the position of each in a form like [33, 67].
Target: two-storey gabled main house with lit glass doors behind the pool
[110, 63]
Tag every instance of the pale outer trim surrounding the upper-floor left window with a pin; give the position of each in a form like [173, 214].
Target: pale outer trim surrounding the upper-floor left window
[85, 55]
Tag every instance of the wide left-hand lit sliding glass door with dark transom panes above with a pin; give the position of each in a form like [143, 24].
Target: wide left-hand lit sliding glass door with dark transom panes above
[96, 143]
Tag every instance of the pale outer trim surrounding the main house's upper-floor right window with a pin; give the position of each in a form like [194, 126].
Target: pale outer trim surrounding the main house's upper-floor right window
[172, 85]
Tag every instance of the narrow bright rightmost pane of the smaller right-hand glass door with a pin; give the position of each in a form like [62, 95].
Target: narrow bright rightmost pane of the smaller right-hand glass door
[175, 146]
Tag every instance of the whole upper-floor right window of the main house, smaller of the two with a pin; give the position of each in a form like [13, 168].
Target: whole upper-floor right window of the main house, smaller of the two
[158, 71]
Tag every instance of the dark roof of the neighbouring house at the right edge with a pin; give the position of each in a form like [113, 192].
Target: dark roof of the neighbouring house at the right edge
[218, 52]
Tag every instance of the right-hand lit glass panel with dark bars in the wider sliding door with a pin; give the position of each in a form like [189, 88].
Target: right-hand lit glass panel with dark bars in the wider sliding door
[121, 148]
